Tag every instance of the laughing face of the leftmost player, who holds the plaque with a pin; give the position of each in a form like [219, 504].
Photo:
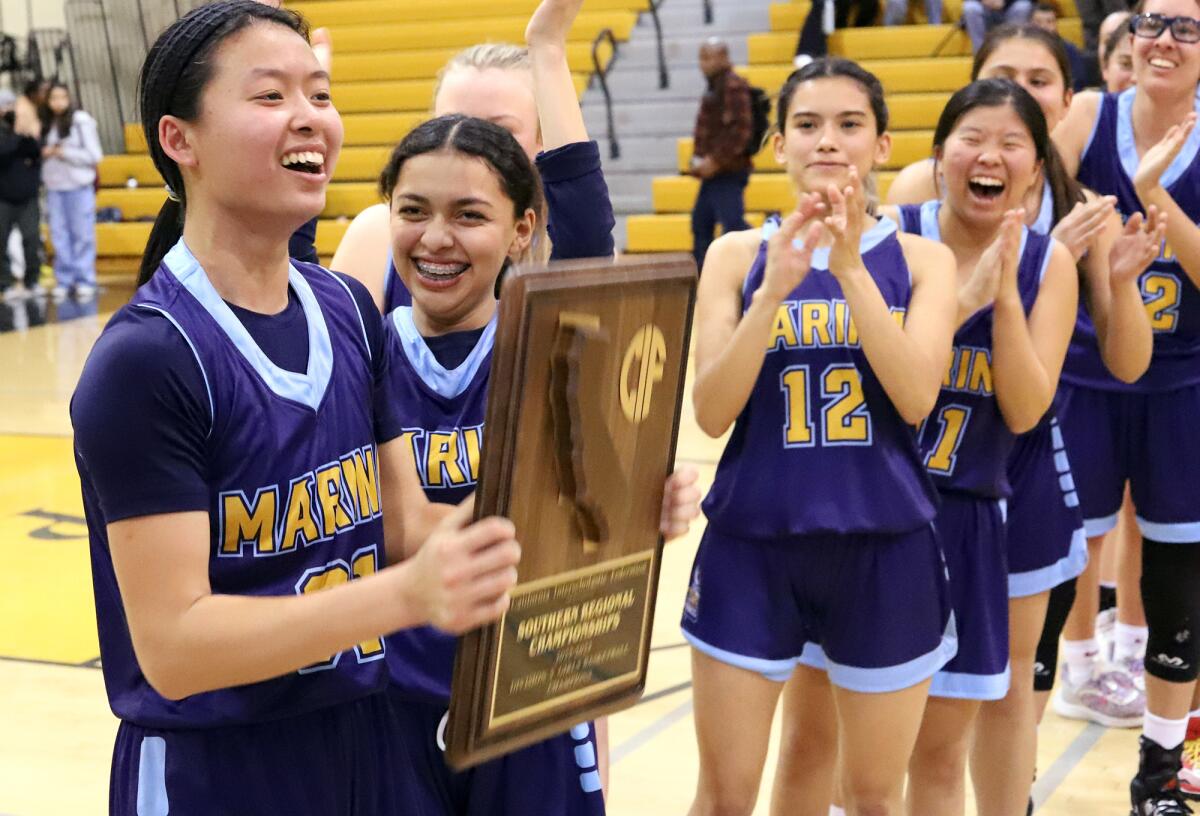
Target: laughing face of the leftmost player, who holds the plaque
[267, 137]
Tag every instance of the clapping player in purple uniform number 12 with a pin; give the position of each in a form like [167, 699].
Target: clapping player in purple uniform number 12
[820, 561]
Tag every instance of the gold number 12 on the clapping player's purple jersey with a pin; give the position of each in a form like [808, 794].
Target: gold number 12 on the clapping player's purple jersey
[844, 418]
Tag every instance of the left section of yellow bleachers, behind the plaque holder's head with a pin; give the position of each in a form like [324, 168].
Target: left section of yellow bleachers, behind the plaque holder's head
[386, 62]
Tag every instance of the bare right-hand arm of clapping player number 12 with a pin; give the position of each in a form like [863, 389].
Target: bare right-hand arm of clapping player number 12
[910, 362]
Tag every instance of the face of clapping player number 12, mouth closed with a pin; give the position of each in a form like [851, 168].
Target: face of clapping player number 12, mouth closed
[830, 129]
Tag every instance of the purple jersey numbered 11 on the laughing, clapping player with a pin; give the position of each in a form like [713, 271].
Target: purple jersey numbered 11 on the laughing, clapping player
[965, 441]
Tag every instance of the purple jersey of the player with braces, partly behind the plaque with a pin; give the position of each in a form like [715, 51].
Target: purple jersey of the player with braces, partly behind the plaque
[443, 415]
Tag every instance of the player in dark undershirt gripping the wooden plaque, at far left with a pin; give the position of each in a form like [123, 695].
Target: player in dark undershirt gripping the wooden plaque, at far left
[235, 469]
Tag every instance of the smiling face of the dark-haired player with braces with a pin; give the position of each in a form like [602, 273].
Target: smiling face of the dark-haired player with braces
[453, 227]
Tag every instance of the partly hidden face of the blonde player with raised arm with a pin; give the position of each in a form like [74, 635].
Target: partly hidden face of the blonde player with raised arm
[502, 97]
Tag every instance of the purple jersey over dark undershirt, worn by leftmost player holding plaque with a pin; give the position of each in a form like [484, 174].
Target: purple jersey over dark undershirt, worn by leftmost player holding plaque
[295, 502]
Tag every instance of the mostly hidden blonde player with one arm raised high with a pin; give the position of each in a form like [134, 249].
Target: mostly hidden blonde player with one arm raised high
[530, 93]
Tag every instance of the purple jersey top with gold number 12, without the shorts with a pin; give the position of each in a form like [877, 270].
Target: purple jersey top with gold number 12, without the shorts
[819, 446]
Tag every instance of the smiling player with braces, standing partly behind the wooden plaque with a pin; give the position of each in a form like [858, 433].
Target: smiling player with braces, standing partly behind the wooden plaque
[465, 202]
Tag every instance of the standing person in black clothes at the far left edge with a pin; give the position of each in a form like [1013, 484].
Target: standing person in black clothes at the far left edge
[21, 165]
